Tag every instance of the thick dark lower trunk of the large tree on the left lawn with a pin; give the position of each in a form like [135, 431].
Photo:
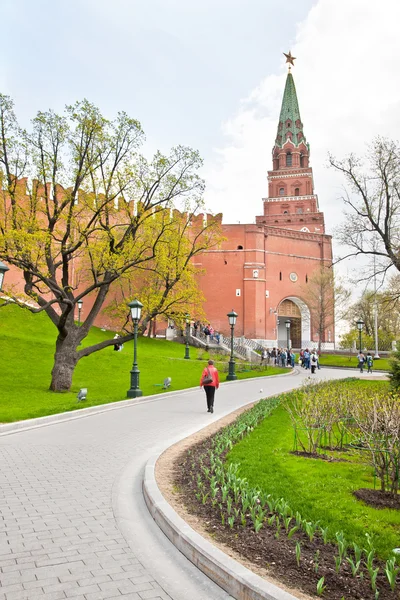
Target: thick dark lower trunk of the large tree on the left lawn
[65, 360]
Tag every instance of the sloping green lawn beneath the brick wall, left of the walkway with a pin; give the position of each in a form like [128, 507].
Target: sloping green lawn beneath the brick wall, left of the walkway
[27, 343]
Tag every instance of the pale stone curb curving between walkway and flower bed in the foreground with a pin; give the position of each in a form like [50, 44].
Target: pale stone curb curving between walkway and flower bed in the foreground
[234, 578]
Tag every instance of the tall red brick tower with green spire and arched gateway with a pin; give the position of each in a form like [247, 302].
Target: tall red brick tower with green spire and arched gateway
[263, 269]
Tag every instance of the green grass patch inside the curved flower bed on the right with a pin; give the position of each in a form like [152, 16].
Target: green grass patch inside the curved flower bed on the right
[318, 489]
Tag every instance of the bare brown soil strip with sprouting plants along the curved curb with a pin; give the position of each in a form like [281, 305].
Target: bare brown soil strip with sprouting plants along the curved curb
[267, 554]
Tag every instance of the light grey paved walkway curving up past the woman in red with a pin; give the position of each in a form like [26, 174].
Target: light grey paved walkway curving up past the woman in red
[73, 523]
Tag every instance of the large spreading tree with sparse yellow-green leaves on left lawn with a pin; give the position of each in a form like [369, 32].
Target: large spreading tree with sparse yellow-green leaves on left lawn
[81, 208]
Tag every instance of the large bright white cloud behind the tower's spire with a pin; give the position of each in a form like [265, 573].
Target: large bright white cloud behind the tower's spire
[348, 88]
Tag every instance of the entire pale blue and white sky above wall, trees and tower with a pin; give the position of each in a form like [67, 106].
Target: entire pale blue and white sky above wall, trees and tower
[210, 74]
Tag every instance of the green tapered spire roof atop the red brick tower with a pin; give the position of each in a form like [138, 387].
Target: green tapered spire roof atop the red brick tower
[289, 119]
